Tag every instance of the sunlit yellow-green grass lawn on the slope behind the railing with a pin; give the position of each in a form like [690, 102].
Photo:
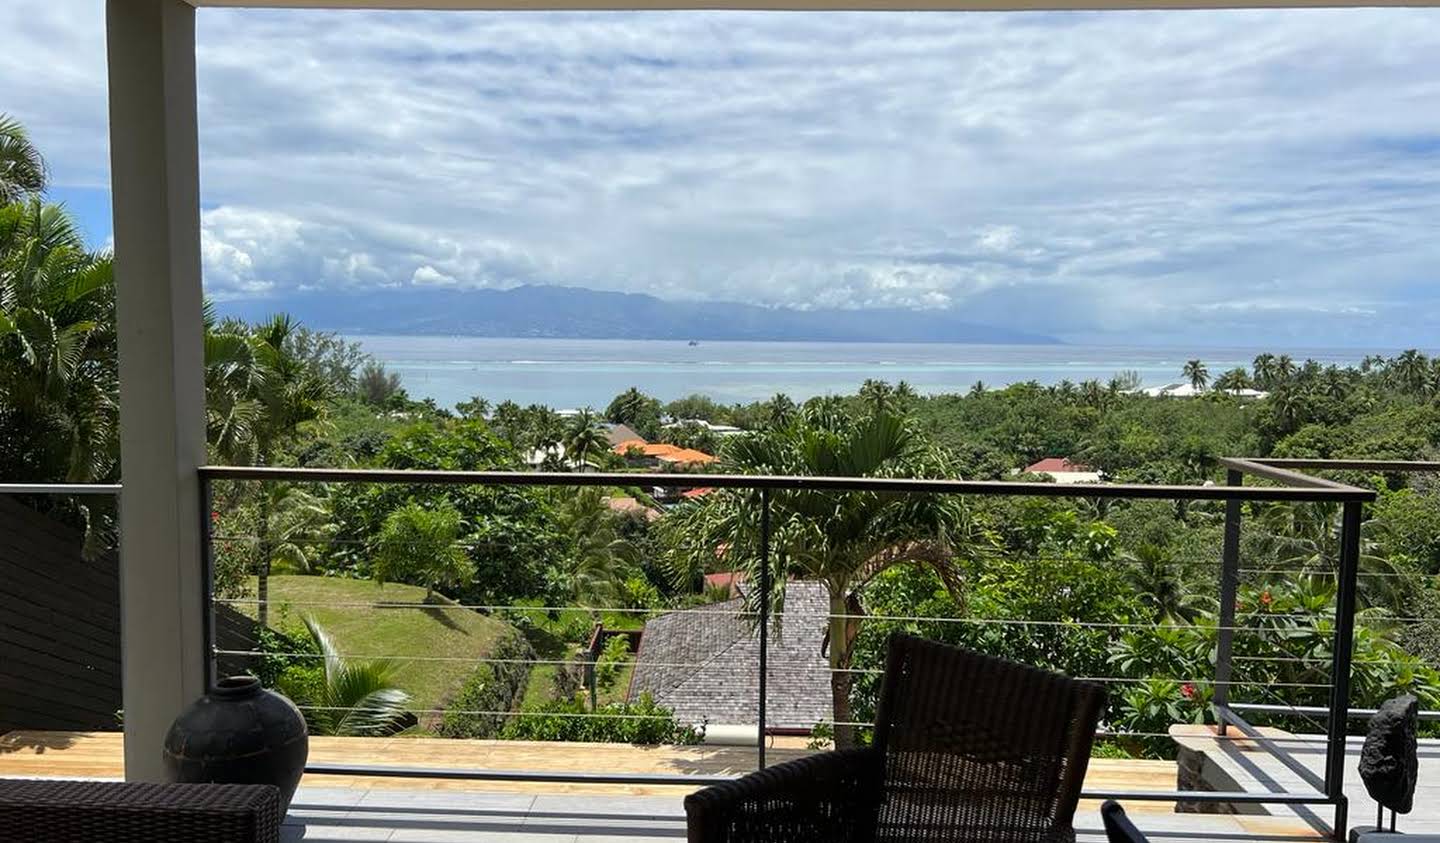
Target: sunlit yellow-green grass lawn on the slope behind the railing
[362, 629]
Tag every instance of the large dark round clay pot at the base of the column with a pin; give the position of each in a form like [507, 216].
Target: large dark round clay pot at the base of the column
[240, 734]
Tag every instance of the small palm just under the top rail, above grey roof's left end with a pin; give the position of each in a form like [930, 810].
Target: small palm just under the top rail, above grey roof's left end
[601, 557]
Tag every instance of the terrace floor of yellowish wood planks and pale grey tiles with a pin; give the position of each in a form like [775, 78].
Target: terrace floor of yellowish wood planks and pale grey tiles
[339, 808]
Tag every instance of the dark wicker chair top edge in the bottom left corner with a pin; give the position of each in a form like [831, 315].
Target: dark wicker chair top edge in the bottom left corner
[116, 812]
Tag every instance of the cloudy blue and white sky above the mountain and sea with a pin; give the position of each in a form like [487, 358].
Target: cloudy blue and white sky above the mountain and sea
[1210, 178]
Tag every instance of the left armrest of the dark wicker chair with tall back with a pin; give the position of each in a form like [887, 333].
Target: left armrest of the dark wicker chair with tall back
[830, 798]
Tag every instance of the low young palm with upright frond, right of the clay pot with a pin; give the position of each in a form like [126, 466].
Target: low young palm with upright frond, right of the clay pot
[356, 698]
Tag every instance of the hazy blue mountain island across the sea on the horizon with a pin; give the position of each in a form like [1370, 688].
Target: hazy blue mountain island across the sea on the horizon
[578, 313]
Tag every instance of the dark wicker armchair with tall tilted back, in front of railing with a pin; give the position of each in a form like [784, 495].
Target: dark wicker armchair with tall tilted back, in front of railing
[967, 749]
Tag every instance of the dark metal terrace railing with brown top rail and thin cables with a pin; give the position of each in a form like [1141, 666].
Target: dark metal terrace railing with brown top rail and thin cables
[1284, 485]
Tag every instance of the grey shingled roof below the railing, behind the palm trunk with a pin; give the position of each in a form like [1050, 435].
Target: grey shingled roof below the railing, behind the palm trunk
[703, 664]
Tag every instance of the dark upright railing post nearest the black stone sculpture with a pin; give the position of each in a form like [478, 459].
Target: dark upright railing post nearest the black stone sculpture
[1341, 662]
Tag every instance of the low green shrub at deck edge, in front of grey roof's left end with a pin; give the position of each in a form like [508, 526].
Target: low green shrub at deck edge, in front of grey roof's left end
[640, 723]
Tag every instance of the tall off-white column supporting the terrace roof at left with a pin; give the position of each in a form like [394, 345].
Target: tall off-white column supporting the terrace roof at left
[155, 182]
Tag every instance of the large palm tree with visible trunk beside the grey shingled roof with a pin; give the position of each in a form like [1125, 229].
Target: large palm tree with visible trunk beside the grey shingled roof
[843, 540]
